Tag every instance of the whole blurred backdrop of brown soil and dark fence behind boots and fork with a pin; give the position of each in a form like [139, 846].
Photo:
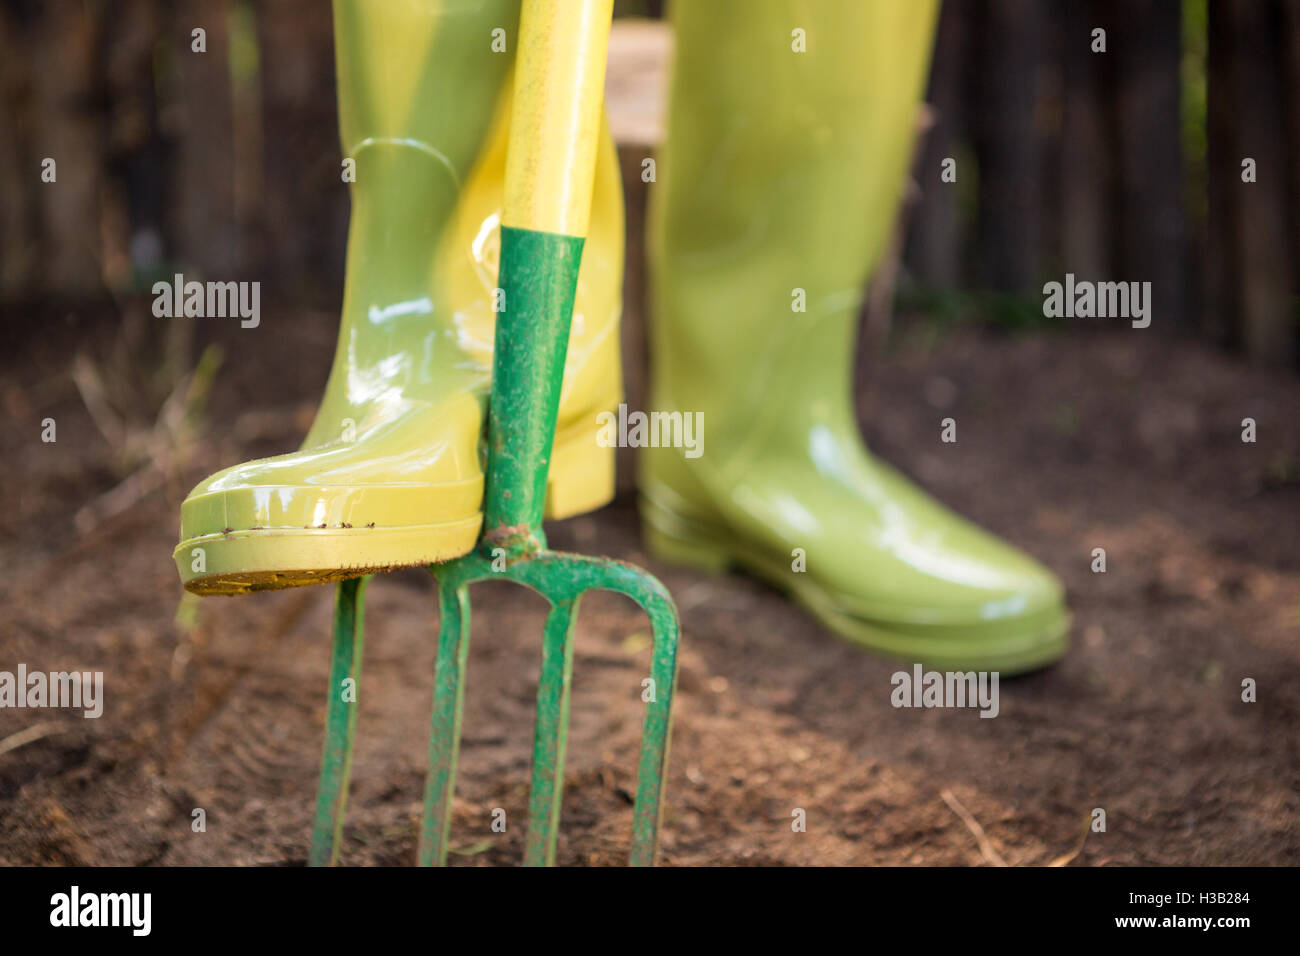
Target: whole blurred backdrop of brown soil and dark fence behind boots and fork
[1076, 436]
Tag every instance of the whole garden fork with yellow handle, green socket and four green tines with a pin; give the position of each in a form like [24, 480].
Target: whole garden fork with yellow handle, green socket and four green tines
[549, 171]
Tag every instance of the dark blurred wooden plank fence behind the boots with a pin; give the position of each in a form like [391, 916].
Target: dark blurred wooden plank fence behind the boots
[1121, 166]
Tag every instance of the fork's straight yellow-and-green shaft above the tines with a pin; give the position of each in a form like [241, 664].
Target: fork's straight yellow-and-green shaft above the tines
[554, 126]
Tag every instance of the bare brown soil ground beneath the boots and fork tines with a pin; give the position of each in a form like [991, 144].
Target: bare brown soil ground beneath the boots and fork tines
[1067, 443]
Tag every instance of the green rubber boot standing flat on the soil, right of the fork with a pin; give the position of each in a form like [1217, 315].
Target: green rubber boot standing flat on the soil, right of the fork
[782, 172]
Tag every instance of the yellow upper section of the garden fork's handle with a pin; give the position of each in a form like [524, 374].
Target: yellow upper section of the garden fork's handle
[560, 89]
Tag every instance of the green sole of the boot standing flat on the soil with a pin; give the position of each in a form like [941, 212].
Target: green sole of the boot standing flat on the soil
[1022, 646]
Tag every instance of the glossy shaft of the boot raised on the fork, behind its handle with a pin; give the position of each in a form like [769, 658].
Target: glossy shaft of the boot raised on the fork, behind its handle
[424, 96]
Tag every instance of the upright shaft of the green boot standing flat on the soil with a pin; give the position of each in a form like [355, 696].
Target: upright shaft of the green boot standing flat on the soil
[790, 132]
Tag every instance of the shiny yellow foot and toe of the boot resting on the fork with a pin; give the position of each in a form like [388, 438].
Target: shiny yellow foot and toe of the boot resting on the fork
[335, 512]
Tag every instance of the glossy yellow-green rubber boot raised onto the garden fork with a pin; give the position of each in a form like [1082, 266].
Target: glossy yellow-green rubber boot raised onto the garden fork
[391, 474]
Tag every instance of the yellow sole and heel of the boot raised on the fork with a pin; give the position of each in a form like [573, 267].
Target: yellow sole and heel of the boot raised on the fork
[237, 563]
